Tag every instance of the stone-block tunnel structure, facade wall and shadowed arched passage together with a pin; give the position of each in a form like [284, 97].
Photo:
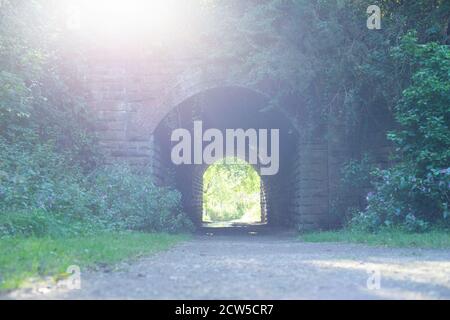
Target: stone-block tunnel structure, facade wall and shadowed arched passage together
[140, 100]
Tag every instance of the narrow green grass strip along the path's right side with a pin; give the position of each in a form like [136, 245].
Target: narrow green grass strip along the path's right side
[387, 238]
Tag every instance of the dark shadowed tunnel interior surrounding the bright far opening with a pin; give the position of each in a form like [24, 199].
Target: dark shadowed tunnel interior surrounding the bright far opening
[228, 108]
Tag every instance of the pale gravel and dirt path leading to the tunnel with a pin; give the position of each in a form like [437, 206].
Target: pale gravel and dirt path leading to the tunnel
[269, 267]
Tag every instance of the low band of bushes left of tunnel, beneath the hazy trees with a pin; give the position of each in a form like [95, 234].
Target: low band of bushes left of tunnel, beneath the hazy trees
[38, 185]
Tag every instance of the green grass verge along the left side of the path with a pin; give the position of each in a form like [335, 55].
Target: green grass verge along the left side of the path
[34, 257]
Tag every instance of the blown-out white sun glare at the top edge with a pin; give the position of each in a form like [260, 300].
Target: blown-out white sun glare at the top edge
[121, 18]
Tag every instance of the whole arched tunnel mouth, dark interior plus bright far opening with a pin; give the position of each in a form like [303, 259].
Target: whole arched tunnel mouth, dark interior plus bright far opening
[230, 108]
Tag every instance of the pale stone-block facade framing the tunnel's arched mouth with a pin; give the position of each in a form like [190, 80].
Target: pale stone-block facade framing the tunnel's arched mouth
[128, 120]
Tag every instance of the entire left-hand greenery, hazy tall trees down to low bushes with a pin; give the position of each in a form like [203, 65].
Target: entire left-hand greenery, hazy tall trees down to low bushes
[52, 180]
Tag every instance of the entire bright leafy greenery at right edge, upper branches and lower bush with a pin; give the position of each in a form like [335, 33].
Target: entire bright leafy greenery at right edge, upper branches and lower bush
[415, 193]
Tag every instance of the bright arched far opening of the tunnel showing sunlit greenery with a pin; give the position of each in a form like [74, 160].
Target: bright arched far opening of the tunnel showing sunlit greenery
[232, 194]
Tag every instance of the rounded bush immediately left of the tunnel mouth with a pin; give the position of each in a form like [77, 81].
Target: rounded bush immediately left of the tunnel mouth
[130, 200]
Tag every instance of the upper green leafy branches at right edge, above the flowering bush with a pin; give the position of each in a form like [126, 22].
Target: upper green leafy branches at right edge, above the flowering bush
[423, 111]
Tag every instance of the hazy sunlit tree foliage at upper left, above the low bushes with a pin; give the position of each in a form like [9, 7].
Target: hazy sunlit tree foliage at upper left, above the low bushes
[41, 97]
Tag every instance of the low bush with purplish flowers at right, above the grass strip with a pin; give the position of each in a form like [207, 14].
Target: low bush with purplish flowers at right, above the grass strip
[402, 197]
